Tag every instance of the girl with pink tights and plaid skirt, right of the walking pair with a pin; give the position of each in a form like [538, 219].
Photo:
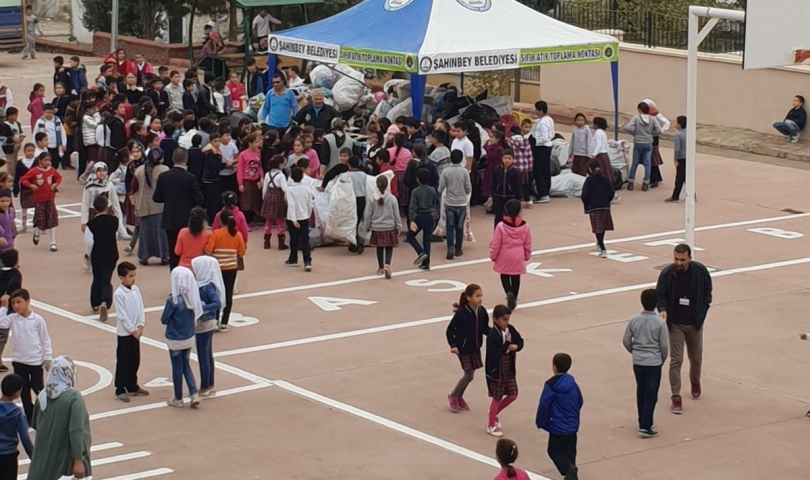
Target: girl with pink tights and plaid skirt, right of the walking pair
[503, 342]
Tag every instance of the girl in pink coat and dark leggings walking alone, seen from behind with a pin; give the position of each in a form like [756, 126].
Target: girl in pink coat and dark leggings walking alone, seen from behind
[510, 249]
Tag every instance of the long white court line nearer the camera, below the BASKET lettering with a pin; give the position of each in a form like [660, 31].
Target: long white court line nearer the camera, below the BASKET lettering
[446, 318]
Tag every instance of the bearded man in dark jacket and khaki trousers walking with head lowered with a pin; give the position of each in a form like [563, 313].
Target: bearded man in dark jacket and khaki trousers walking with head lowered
[684, 297]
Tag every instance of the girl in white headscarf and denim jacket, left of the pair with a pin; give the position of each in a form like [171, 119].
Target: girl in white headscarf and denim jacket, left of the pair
[180, 314]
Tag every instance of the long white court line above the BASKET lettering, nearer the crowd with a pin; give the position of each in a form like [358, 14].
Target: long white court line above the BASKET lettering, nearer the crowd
[567, 248]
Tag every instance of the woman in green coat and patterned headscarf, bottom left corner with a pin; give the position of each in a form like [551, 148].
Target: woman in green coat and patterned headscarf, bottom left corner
[62, 444]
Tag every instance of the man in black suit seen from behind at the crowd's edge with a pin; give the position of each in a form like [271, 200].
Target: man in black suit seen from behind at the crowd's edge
[179, 191]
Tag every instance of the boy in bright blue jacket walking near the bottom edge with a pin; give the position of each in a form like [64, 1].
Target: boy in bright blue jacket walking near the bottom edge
[558, 414]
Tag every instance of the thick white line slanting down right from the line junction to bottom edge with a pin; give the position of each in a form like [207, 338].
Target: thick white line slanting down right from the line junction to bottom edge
[398, 427]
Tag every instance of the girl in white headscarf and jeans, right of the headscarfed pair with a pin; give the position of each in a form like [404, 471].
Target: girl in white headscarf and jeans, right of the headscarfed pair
[212, 291]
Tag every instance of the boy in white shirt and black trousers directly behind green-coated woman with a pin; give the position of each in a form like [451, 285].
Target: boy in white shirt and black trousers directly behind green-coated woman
[31, 346]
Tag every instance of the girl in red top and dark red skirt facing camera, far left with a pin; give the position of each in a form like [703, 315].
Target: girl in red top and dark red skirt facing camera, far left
[44, 180]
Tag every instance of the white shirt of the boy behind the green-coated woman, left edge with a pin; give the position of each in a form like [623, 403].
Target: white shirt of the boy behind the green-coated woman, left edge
[31, 344]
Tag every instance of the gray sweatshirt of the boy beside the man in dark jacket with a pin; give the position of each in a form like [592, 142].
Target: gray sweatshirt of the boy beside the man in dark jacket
[647, 338]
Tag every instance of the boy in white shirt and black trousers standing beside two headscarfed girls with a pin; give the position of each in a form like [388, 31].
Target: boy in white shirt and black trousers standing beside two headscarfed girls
[131, 320]
